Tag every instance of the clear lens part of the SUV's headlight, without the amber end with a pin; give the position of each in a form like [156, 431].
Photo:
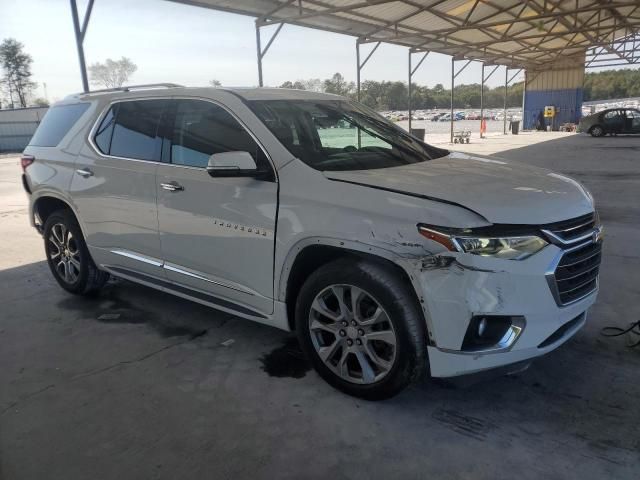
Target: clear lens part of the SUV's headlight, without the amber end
[507, 248]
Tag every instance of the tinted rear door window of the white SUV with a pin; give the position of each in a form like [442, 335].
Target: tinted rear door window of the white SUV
[135, 130]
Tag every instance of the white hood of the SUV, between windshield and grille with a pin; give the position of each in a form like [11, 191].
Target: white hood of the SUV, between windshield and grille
[499, 191]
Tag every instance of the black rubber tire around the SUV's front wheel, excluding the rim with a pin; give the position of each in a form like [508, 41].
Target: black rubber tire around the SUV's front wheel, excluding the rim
[395, 297]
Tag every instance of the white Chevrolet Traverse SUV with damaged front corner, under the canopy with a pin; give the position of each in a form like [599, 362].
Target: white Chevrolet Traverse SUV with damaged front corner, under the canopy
[310, 212]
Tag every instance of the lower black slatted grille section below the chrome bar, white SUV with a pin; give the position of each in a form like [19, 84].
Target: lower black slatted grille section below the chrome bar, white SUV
[577, 272]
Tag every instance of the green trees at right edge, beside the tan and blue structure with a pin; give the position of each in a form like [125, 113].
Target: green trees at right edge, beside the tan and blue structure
[612, 84]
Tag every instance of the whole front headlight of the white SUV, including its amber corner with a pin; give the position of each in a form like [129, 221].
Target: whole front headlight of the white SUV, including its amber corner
[506, 248]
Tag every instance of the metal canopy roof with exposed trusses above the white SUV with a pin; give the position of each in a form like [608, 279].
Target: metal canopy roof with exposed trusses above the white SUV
[531, 34]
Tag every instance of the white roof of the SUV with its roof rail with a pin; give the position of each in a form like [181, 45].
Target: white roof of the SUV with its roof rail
[164, 90]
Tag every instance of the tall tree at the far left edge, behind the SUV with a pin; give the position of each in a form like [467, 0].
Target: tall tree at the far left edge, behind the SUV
[16, 65]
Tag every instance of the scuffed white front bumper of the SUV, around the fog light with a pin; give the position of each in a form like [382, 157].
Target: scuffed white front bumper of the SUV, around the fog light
[456, 287]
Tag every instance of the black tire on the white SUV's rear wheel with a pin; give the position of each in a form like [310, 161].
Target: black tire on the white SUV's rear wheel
[87, 279]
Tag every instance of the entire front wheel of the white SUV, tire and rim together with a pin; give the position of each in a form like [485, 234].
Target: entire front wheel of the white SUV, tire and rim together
[361, 328]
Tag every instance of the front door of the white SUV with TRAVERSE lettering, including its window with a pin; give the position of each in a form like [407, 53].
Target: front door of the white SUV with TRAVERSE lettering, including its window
[217, 234]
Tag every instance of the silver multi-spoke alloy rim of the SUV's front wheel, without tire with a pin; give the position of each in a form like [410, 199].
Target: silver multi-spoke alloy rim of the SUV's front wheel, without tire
[352, 334]
